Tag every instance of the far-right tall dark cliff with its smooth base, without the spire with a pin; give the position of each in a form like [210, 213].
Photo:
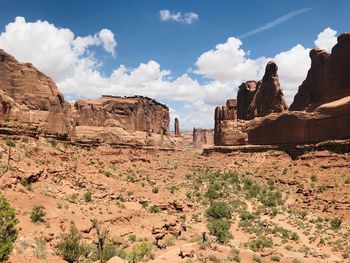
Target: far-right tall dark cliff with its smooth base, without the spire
[325, 95]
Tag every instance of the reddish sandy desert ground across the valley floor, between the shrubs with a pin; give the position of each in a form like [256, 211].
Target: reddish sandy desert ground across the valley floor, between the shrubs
[125, 184]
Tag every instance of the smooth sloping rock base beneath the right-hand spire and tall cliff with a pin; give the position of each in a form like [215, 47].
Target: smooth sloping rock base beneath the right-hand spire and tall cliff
[329, 121]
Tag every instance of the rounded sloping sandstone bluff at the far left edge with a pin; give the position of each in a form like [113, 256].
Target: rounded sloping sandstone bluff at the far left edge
[27, 95]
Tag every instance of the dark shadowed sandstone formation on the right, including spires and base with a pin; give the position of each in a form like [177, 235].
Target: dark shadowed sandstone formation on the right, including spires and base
[320, 110]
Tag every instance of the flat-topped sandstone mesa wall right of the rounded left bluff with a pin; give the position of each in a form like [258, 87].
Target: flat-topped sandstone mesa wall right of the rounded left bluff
[131, 113]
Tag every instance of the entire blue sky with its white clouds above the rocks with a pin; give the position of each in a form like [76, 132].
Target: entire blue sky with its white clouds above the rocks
[188, 54]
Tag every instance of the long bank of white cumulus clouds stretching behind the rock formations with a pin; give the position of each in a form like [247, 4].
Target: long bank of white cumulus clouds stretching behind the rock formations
[70, 62]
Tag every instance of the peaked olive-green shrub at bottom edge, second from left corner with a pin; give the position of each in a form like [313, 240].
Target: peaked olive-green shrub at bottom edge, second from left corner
[70, 246]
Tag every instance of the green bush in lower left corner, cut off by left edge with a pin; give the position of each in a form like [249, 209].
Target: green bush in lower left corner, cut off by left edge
[8, 231]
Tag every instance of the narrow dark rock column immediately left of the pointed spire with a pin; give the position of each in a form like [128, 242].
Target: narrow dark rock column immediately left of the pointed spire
[245, 97]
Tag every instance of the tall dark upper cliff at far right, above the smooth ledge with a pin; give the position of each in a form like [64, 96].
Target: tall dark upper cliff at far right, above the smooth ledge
[327, 79]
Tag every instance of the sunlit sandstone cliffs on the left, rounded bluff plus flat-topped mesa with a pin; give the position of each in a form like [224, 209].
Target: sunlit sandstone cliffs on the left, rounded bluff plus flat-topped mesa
[29, 97]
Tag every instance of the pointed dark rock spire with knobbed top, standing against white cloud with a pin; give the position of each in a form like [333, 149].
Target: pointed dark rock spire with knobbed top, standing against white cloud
[269, 96]
